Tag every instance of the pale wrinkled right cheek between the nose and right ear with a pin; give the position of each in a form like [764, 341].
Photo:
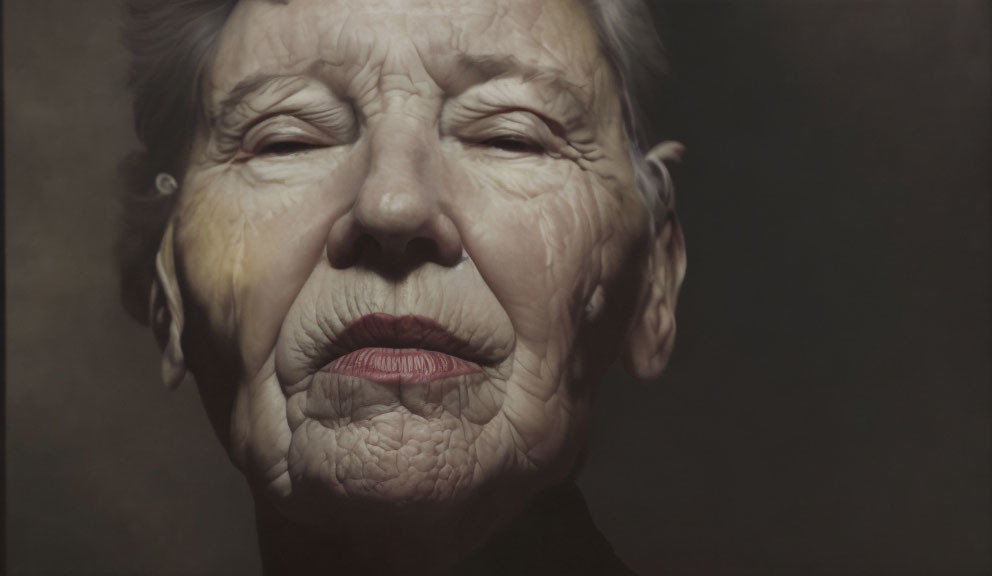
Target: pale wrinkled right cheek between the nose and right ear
[537, 242]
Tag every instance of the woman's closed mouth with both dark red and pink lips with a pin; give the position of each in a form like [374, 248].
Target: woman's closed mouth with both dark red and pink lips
[402, 349]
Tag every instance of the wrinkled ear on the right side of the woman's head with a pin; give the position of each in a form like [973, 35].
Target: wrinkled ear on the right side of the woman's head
[652, 337]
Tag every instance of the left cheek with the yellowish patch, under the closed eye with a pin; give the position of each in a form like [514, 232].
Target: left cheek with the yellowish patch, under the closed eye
[249, 238]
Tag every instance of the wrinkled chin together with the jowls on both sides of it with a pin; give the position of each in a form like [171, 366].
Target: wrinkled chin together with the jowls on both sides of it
[351, 456]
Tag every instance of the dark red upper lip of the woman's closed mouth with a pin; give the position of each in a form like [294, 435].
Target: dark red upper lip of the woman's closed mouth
[408, 331]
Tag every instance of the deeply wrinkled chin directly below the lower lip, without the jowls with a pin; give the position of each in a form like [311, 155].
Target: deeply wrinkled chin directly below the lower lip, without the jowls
[389, 449]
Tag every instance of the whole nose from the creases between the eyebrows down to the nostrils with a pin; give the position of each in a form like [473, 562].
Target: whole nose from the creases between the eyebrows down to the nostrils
[397, 219]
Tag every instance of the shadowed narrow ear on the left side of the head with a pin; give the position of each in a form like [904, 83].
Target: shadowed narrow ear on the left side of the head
[167, 312]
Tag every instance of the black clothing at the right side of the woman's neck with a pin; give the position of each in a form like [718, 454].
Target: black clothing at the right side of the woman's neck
[555, 535]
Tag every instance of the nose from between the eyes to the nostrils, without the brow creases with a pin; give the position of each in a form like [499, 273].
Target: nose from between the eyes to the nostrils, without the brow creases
[397, 220]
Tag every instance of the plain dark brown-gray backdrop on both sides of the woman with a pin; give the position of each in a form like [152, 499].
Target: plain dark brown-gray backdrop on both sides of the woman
[827, 410]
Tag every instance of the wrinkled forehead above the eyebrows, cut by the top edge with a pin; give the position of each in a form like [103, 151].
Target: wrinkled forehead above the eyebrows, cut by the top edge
[422, 39]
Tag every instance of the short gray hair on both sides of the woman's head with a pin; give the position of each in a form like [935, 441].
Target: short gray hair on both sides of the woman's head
[170, 44]
